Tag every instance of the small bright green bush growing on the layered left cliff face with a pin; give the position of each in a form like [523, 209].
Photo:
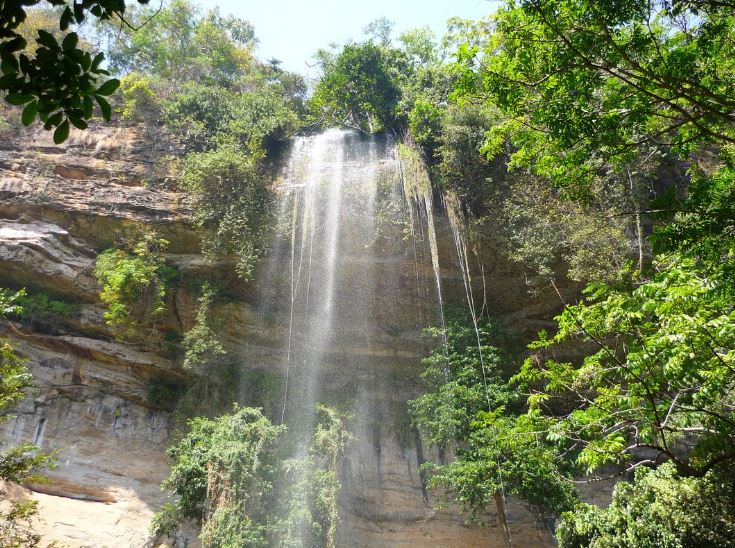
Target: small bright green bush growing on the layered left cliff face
[132, 284]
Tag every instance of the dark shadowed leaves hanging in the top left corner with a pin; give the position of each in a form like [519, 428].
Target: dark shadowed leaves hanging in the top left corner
[59, 81]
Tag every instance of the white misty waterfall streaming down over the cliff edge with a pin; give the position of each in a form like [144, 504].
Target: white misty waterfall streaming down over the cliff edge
[327, 199]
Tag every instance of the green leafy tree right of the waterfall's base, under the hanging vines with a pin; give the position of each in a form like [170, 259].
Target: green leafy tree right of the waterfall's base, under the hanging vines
[466, 409]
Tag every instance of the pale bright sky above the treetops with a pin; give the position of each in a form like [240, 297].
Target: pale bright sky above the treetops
[292, 30]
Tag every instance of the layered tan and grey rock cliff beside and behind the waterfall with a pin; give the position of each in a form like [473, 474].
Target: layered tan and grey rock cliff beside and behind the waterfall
[59, 207]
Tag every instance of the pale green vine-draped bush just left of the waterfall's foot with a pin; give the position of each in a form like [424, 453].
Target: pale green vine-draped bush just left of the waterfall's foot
[221, 465]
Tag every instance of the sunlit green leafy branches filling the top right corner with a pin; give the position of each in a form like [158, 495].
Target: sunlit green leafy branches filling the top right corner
[583, 84]
